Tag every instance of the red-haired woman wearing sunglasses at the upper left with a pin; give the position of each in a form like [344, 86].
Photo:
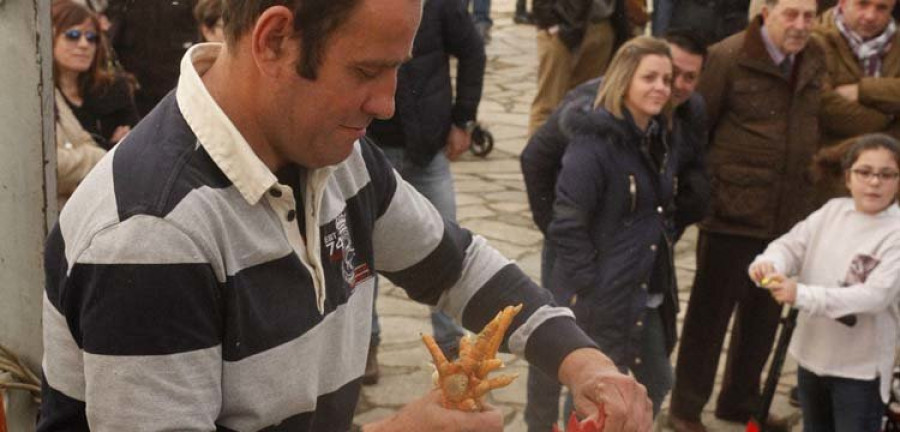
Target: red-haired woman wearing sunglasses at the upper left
[94, 107]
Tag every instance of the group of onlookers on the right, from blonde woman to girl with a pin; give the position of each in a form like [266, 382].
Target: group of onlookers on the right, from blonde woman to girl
[796, 108]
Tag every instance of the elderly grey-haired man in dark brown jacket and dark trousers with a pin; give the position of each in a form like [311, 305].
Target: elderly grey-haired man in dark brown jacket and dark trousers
[762, 89]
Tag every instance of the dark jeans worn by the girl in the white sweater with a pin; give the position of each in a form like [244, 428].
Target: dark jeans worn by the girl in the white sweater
[832, 404]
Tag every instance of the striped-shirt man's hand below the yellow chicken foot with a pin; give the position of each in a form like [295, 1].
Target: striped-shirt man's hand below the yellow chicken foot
[427, 414]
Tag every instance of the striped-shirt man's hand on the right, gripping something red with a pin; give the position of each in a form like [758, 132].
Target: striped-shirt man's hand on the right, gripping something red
[594, 381]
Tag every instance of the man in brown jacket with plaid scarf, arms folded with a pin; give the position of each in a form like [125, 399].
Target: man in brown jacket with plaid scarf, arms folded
[862, 85]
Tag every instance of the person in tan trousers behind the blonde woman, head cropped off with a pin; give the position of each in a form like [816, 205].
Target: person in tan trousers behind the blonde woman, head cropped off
[575, 41]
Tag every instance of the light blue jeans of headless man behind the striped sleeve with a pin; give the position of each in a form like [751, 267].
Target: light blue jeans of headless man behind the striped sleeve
[435, 182]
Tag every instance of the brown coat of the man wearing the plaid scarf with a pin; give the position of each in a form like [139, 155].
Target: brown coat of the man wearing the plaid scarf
[879, 98]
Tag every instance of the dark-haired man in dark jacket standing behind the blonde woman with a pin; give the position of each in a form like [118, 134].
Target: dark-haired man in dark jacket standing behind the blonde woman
[542, 160]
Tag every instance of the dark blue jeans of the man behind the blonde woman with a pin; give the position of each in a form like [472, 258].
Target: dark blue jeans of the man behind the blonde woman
[542, 403]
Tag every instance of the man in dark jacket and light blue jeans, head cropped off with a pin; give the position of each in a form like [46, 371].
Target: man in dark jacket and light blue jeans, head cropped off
[430, 127]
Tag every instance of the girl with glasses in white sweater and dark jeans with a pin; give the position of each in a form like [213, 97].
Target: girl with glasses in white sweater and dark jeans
[841, 268]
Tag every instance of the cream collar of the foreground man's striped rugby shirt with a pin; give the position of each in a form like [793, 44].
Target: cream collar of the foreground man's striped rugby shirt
[215, 132]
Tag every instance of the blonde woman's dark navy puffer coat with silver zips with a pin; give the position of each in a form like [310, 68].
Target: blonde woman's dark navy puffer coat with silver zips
[613, 216]
